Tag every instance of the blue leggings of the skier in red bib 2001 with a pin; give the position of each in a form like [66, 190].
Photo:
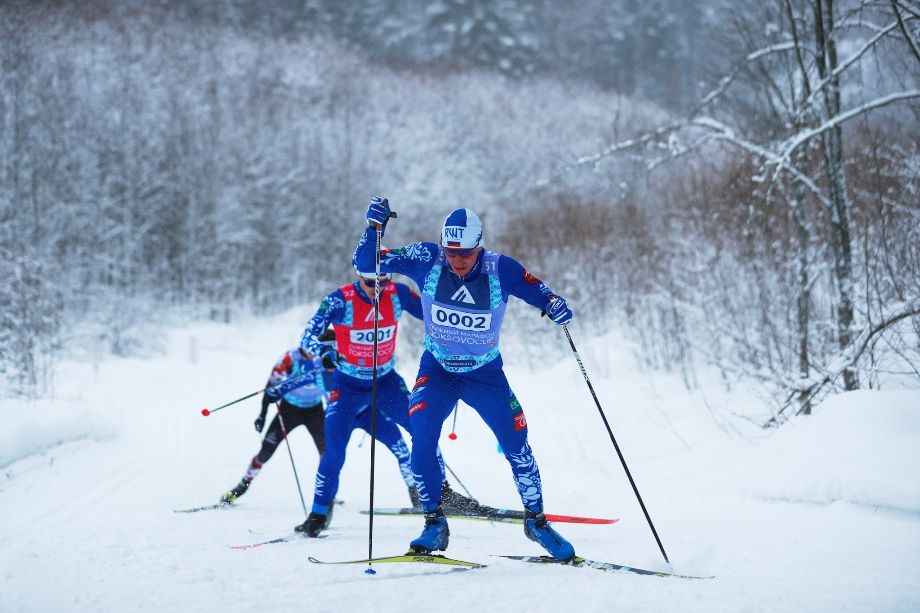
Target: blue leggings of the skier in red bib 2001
[349, 408]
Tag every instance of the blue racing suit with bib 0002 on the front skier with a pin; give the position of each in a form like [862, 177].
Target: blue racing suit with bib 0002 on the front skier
[463, 317]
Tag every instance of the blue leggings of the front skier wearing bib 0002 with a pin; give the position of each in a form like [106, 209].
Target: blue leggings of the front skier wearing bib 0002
[487, 391]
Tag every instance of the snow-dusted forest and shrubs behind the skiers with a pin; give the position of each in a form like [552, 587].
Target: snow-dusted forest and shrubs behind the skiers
[734, 184]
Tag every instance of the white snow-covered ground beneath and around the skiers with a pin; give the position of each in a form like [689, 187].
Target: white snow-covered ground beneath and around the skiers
[823, 515]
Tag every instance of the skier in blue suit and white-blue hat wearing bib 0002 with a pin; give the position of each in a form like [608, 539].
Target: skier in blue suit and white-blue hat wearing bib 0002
[464, 292]
